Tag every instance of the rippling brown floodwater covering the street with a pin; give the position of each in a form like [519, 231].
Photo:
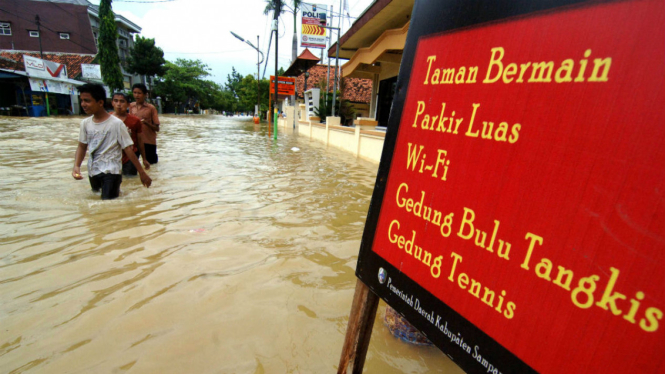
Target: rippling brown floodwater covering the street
[239, 259]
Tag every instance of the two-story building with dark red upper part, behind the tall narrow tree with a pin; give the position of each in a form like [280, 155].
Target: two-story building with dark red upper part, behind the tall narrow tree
[61, 31]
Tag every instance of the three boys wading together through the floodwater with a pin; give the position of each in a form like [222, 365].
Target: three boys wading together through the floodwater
[116, 140]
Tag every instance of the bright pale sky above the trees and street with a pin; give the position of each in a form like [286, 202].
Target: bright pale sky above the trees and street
[200, 29]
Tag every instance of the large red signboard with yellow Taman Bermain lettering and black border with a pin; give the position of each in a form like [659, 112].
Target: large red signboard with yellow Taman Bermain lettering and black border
[518, 216]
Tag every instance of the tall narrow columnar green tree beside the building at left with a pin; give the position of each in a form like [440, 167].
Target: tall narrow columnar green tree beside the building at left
[108, 49]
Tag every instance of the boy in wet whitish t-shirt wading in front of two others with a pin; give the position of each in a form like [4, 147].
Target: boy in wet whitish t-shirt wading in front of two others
[106, 137]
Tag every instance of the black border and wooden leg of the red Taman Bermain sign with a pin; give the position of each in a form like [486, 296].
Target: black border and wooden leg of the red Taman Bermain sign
[431, 18]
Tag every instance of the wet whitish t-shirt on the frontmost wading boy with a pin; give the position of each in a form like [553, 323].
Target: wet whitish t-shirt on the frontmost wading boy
[105, 141]
